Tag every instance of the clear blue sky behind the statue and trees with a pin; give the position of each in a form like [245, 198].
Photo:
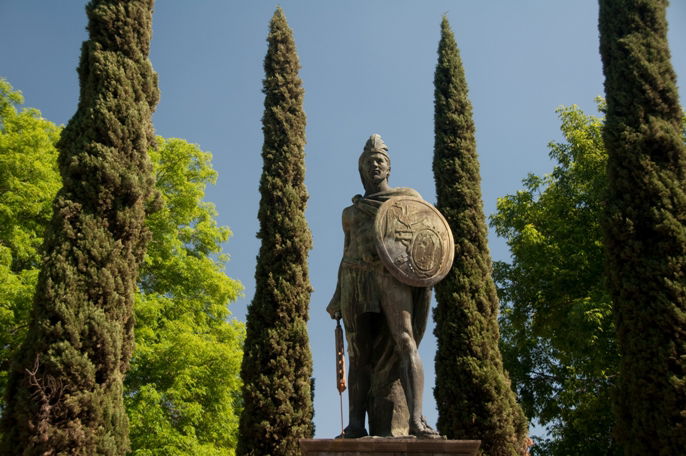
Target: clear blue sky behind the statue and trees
[367, 67]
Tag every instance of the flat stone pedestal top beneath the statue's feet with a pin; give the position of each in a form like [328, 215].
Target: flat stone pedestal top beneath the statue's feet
[369, 446]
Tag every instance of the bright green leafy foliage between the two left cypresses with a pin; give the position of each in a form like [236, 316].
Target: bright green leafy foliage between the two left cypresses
[183, 389]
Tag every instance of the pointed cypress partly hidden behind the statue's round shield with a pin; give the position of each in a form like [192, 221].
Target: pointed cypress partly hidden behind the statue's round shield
[473, 393]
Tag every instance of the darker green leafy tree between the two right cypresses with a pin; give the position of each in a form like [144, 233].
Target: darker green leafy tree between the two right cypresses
[558, 330]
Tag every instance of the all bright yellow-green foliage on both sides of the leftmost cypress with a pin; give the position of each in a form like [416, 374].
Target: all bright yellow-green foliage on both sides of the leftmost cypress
[182, 390]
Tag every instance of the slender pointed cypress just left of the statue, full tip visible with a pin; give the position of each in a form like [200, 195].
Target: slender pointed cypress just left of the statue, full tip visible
[277, 364]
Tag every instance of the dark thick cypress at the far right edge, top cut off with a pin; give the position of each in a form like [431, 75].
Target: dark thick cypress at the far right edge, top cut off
[645, 225]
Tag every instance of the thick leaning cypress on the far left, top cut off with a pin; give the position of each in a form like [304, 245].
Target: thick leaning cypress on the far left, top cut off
[65, 387]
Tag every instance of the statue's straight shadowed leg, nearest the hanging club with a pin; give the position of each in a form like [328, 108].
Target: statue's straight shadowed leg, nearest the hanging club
[359, 338]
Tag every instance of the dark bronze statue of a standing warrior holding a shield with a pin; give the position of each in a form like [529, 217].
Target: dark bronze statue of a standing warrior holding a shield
[384, 299]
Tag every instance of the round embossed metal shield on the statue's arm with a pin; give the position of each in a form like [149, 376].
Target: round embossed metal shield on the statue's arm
[413, 241]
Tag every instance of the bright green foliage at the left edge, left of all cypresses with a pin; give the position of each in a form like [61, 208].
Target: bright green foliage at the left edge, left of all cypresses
[29, 180]
